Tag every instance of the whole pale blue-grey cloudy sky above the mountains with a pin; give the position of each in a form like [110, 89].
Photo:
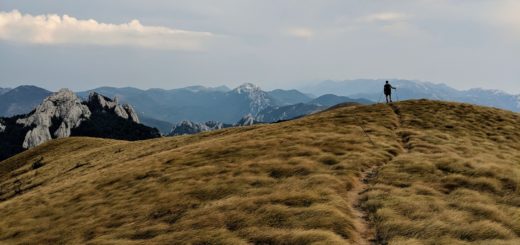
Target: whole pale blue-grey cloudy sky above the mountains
[83, 44]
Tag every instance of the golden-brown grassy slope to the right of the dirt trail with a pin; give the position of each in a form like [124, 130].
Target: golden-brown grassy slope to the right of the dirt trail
[459, 181]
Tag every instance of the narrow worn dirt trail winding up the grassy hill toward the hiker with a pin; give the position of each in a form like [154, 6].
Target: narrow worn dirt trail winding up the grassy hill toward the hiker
[364, 225]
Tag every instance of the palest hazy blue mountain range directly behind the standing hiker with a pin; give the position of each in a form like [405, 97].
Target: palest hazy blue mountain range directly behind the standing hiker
[373, 89]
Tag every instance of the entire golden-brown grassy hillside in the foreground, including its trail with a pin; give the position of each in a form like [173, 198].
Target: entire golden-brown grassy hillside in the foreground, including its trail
[417, 172]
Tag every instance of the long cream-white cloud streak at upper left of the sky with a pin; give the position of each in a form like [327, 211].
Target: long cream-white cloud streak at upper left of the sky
[53, 29]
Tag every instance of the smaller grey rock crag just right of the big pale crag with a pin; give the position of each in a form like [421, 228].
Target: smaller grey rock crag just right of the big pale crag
[99, 102]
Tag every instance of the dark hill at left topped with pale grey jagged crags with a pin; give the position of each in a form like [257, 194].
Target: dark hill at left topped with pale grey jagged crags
[63, 114]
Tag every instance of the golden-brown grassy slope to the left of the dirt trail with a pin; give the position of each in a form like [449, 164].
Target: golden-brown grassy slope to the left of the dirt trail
[277, 183]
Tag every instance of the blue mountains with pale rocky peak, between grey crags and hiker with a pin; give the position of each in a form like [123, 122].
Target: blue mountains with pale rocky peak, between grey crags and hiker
[201, 104]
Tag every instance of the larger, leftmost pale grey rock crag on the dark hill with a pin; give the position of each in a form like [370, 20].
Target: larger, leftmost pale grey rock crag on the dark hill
[59, 113]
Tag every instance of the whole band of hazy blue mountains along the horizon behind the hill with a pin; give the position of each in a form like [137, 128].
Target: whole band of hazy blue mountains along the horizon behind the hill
[164, 109]
